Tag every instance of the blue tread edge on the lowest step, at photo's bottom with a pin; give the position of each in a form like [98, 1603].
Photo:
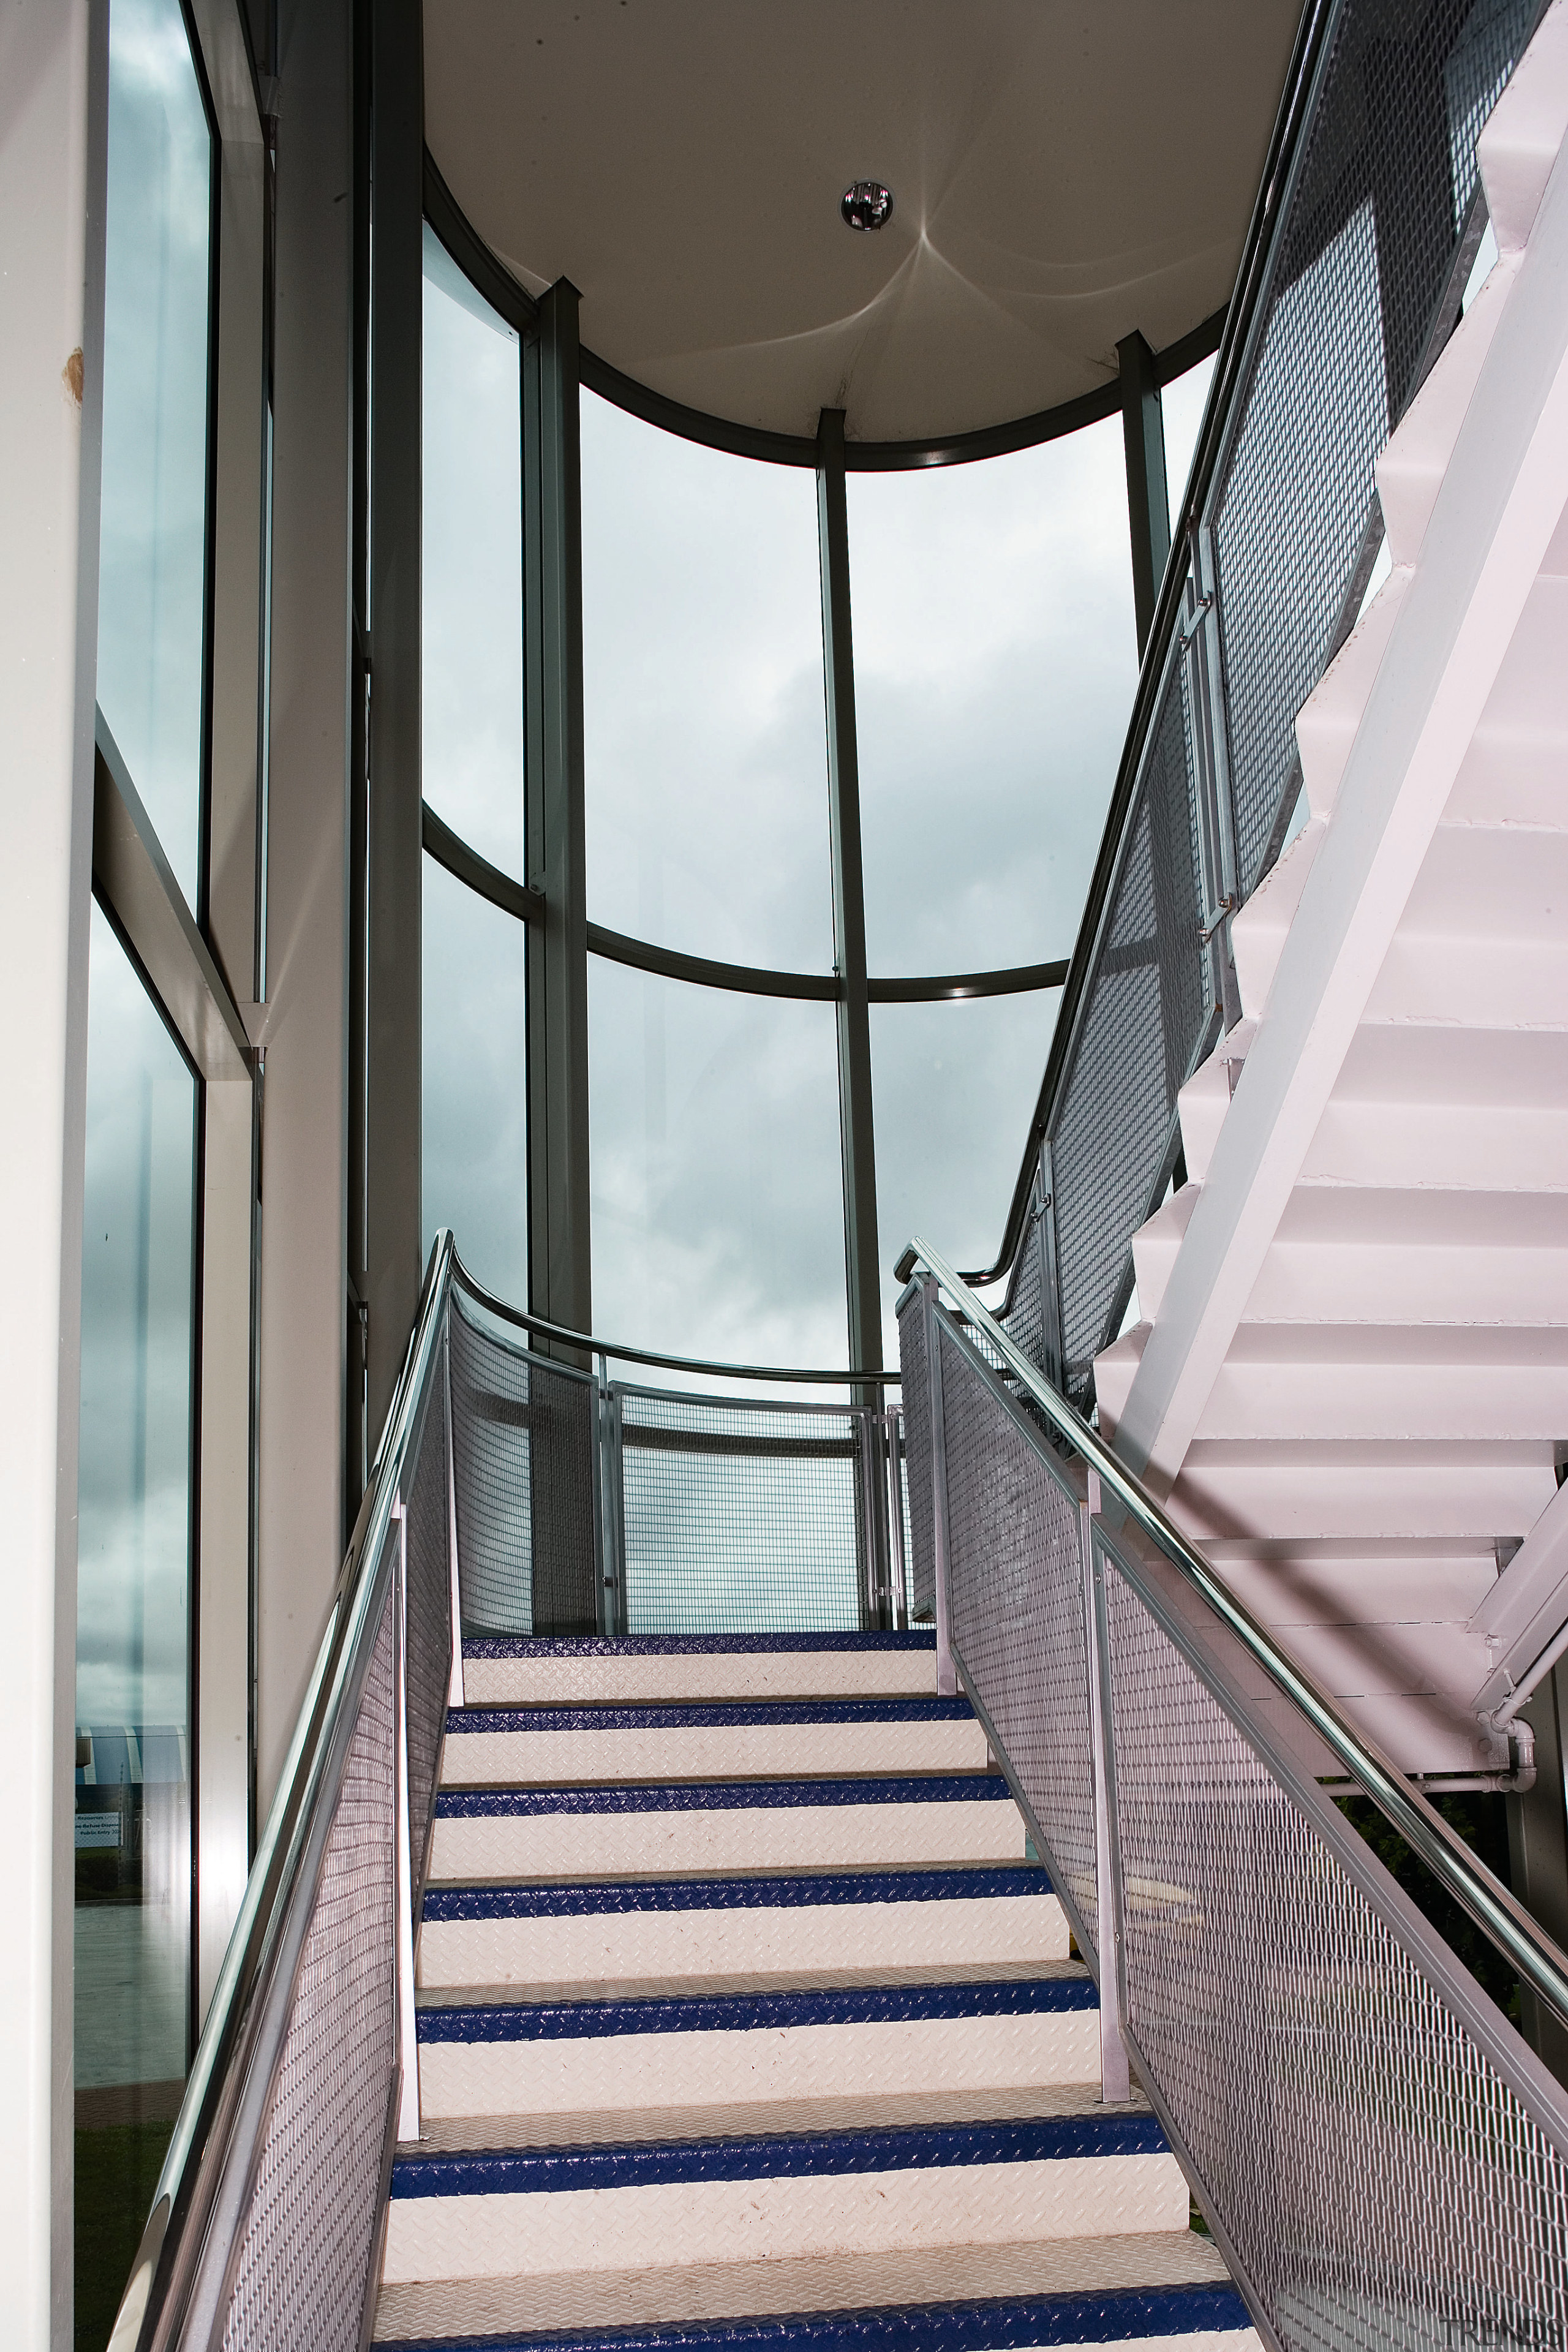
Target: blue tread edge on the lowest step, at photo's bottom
[1113, 2318]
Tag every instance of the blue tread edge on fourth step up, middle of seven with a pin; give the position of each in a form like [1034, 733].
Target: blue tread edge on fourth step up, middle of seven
[556, 1902]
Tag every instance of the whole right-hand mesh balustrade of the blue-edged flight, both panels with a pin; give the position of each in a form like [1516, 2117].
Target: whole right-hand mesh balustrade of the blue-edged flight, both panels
[1383, 2160]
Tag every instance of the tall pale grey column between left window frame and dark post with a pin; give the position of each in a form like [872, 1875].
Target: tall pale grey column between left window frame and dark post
[304, 1128]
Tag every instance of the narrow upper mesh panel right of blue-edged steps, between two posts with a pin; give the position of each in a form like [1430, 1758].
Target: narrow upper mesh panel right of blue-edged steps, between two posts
[1017, 1596]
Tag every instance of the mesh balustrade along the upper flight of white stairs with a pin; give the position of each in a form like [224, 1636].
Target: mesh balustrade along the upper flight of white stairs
[1355, 290]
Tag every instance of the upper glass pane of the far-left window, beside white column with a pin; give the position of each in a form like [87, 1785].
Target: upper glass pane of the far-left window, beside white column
[154, 516]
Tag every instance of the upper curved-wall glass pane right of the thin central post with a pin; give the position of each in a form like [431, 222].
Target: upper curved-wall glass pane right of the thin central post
[996, 667]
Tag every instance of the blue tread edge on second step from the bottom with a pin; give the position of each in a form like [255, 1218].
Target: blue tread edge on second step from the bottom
[1059, 2139]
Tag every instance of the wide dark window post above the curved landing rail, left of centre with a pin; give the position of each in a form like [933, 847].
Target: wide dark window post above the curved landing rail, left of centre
[561, 1281]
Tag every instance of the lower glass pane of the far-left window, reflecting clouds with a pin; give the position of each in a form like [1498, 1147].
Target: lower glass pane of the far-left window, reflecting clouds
[133, 1655]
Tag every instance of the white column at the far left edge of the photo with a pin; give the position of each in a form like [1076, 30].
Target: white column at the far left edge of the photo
[53, 109]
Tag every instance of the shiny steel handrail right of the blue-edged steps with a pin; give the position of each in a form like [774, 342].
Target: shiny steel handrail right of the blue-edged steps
[1529, 1951]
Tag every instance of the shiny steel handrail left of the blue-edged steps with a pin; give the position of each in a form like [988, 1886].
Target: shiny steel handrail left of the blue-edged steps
[250, 1982]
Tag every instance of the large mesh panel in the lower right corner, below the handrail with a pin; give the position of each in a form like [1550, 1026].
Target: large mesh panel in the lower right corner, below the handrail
[1379, 2179]
